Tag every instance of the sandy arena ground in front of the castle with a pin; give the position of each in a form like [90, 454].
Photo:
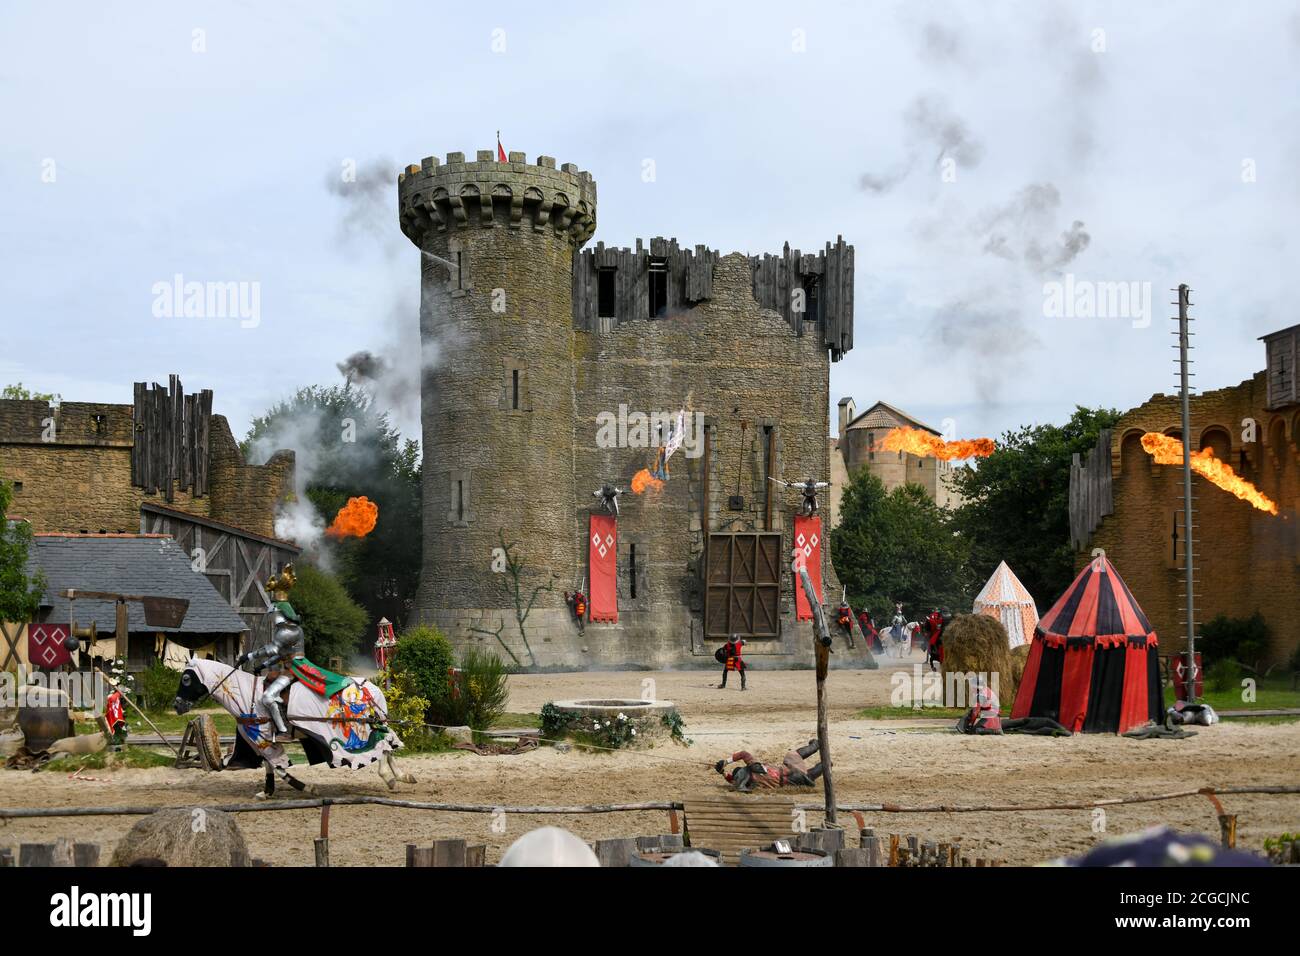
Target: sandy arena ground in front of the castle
[908, 763]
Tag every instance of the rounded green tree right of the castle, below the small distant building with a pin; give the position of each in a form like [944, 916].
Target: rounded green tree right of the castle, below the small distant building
[899, 547]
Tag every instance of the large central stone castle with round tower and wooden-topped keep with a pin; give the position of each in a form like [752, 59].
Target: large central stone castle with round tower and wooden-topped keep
[541, 361]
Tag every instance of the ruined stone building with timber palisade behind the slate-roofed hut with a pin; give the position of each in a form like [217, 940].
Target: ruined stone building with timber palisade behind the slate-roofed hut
[164, 465]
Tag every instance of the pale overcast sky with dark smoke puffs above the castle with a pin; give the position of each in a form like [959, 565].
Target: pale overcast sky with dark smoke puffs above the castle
[970, 153]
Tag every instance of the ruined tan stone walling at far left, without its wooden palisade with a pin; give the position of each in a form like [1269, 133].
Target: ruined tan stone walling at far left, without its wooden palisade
[75, 469]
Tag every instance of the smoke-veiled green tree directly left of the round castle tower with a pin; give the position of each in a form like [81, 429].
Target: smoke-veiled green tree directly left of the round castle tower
[346, 448]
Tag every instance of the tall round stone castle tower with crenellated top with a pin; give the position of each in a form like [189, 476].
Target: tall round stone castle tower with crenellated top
[499, 391]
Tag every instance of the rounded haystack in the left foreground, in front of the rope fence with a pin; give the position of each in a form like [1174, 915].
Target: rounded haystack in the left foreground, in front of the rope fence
[177, 838]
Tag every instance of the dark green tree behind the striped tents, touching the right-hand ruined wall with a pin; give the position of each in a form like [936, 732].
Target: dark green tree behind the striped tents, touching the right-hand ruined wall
[1017, 503]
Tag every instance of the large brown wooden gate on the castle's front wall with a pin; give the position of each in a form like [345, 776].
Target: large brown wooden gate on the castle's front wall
[743, 586]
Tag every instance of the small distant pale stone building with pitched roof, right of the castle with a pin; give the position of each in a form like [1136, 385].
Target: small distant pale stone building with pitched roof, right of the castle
[861, 432]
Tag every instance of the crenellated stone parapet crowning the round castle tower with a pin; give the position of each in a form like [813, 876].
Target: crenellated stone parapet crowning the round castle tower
[439, 198]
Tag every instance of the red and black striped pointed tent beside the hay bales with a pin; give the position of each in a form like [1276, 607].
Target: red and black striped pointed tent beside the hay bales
[1094, 664]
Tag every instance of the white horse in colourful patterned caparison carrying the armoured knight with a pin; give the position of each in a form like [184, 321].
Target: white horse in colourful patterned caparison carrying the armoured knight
[349, 729]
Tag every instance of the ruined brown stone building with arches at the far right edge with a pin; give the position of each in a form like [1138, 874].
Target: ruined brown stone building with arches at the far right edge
[1246, 560]
